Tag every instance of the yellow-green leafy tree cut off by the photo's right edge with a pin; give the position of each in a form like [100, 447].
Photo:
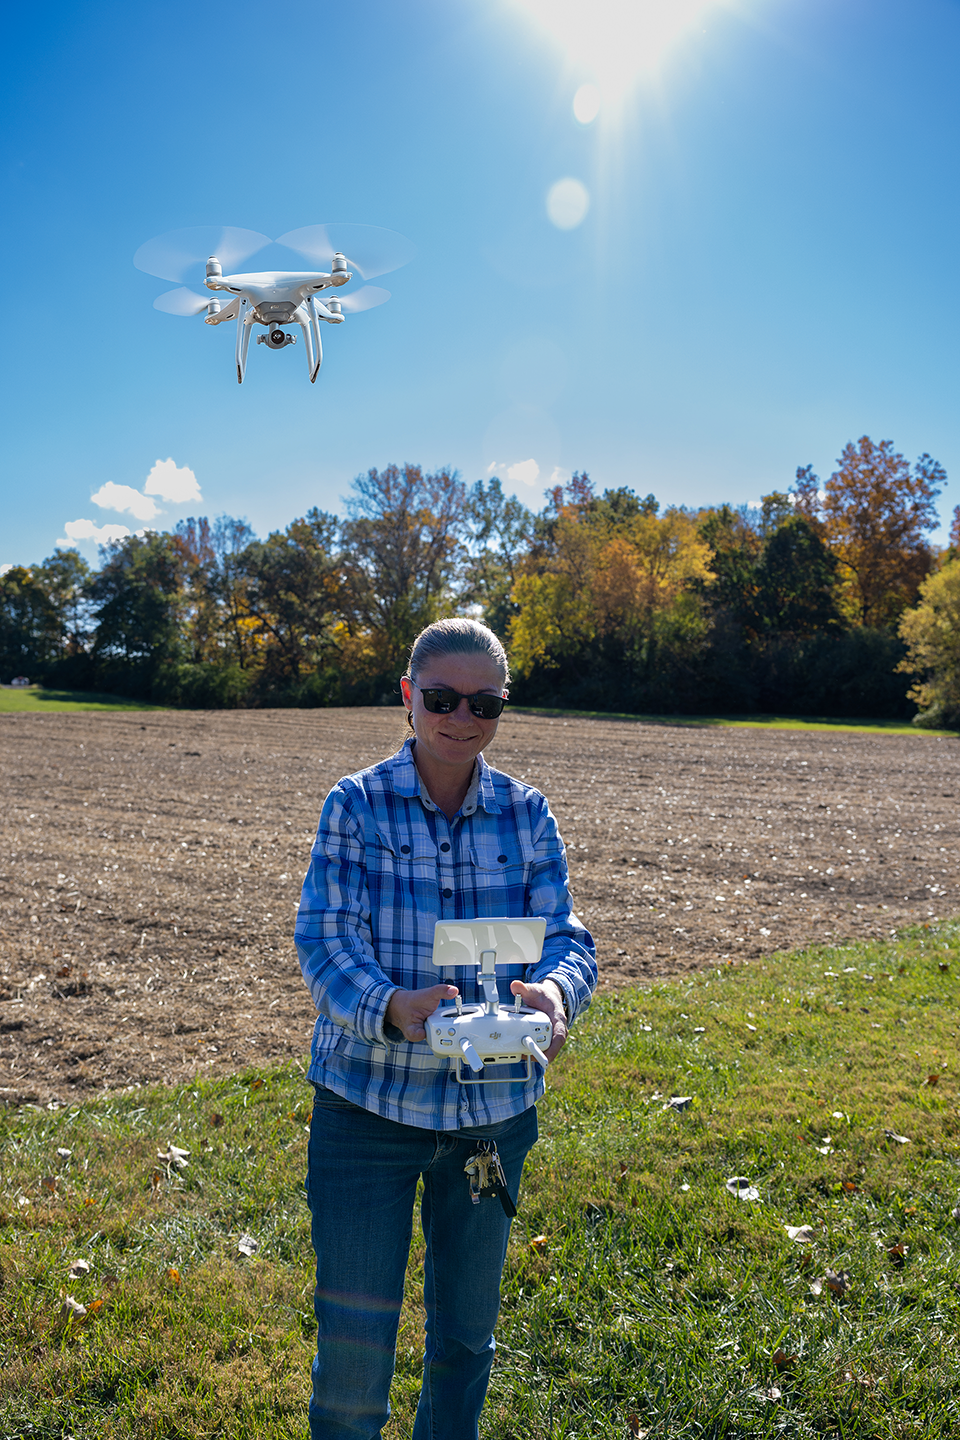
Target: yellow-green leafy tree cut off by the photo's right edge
[932, 631]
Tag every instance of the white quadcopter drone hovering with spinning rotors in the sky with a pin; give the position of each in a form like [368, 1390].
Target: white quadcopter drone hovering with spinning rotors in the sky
[274, 299]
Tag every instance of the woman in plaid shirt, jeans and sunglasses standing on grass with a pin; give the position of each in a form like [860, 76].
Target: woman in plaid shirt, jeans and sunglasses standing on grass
[433, 833]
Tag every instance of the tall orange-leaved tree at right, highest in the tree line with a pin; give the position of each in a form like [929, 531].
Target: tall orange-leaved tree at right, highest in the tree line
[876, 513]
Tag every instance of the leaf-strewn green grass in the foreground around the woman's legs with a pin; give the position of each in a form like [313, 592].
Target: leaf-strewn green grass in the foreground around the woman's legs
[635, 1285]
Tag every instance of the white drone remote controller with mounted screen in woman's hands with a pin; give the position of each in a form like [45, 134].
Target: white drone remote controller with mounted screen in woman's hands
[489, 1035]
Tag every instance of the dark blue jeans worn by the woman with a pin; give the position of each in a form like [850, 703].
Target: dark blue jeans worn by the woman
[361, 1186]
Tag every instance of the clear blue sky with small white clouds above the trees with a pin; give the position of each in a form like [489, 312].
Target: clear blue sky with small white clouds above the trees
[686, 247]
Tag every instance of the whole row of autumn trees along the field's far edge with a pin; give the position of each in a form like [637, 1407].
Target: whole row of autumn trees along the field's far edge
[824, 600]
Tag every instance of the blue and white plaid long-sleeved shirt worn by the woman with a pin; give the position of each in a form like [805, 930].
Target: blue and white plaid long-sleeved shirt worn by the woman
[385, 868]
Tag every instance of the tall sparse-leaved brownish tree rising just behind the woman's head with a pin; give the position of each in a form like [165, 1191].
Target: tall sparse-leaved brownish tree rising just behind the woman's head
[401, 551]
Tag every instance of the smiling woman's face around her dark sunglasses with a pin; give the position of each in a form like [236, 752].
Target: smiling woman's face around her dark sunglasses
[457, 739]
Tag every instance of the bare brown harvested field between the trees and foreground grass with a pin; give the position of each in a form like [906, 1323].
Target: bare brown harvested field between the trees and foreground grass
[152, 863]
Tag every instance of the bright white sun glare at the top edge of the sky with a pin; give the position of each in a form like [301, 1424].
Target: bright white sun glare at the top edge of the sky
[617, 42]
